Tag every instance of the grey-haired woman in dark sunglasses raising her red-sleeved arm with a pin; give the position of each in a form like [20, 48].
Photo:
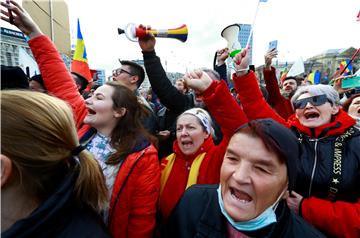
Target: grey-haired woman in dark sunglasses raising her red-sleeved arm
[327, 193]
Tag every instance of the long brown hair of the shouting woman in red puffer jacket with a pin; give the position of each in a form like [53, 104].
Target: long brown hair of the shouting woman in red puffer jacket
[129, 129]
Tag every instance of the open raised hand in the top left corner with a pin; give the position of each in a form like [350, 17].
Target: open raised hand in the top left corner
[20, 18]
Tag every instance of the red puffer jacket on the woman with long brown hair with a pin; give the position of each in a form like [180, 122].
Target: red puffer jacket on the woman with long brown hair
[135, 207]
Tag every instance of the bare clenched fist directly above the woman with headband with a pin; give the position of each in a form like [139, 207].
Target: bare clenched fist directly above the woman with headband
[198, 81]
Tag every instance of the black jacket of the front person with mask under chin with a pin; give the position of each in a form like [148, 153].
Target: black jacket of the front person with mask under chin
[198, 215]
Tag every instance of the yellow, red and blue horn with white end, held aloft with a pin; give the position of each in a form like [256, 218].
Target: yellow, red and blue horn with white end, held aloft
[133, 33]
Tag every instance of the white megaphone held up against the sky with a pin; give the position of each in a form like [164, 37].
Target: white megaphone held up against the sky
[231, 35]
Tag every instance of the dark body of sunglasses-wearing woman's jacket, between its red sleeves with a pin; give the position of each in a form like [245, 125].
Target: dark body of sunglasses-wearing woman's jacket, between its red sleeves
[318, 164]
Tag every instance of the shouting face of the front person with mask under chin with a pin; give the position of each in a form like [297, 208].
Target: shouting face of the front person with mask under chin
[252, 178]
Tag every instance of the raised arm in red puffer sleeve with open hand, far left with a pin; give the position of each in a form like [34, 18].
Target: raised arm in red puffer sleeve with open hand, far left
[57, 79]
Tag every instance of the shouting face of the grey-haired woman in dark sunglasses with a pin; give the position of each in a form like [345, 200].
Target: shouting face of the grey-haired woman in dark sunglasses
[316, 112]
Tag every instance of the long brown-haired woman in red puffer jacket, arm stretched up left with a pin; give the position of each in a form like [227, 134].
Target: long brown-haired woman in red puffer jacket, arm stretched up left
[109, 125]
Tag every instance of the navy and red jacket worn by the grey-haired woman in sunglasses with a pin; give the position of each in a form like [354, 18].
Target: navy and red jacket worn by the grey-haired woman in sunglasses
[331, 199]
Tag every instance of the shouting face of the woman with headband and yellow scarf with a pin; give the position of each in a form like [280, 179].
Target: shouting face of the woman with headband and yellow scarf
[190, 134]
